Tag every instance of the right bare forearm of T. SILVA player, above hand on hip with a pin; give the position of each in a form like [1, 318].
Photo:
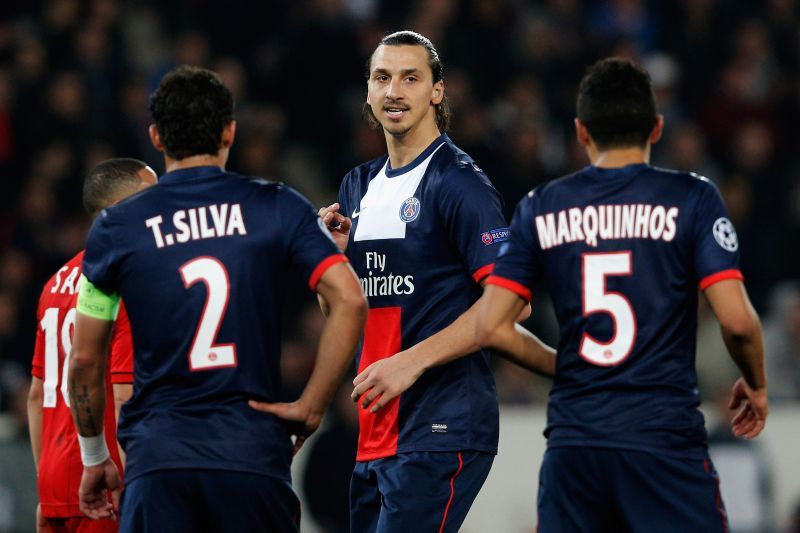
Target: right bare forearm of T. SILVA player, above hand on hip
[343, 330]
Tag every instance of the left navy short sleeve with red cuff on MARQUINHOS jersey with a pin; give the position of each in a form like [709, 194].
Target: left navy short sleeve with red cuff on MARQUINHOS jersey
[518, 264]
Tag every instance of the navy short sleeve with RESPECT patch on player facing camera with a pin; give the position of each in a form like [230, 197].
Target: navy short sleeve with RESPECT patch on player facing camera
[472, 211]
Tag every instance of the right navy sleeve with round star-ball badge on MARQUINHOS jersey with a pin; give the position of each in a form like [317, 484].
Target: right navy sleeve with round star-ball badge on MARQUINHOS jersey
[715, 244]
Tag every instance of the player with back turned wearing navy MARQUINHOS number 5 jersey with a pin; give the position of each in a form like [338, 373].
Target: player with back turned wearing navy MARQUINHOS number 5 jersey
[622, 248]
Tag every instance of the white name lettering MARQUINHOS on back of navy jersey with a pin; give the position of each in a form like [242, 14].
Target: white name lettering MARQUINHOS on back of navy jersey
[633, 221]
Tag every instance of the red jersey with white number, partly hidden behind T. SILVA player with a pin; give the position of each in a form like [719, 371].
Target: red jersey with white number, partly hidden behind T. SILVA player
[60, 466]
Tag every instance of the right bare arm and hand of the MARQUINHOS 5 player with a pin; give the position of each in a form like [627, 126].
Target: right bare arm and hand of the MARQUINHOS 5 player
[741, 331]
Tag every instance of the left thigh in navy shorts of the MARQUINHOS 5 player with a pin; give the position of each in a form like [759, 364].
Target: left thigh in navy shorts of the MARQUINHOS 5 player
[573, 492]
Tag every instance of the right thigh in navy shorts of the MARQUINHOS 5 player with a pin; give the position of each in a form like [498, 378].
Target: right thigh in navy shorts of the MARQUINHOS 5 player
[658, 493]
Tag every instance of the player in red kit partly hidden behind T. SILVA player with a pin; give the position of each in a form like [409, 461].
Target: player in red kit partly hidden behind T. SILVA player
[52, 431]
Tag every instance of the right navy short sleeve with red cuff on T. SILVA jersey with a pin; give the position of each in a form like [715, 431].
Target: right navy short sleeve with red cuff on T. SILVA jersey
[310, 246]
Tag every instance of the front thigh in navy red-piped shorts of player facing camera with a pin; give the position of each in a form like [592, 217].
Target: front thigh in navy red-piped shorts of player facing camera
[429, 491]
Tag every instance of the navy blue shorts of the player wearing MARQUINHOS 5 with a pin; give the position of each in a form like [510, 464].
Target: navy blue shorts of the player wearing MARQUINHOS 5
[599, 490]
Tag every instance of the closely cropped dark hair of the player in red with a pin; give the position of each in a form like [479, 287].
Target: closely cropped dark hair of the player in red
[108, 181]
